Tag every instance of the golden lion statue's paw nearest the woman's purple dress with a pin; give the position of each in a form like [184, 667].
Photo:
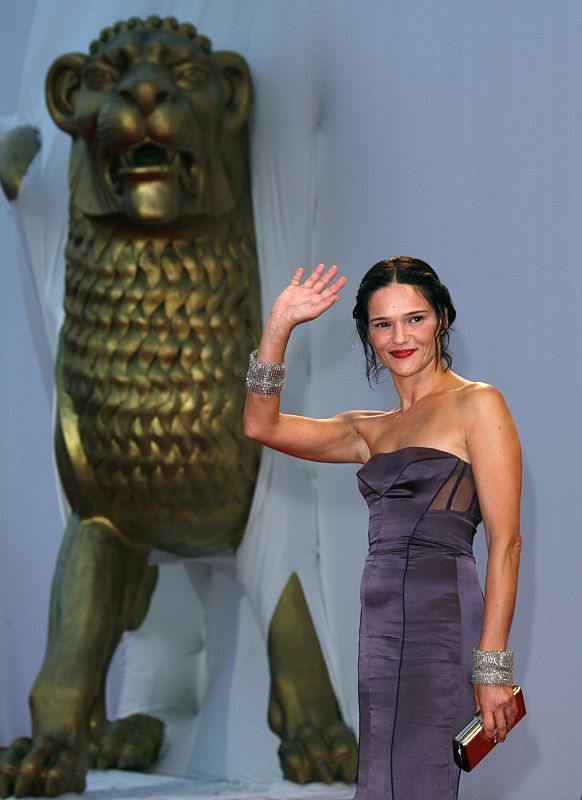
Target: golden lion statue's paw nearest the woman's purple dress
[323, 754]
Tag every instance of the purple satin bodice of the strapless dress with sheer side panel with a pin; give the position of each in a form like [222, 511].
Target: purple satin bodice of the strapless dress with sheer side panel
[420, 499]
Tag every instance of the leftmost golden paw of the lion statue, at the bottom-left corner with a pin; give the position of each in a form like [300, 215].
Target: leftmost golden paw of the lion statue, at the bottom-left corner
[41, 767]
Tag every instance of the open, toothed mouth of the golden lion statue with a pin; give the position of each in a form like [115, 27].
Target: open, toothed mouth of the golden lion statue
[149, 160]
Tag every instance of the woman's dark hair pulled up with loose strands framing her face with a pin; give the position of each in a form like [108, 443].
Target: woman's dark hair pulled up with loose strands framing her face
[414, 272]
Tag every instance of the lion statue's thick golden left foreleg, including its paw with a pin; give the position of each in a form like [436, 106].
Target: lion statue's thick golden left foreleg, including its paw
[94, 590]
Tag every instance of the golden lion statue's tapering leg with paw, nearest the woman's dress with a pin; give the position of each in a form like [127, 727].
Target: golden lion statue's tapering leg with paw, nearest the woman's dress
[316, 745]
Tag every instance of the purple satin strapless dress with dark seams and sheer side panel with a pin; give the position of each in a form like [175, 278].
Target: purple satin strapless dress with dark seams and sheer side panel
[422, 609]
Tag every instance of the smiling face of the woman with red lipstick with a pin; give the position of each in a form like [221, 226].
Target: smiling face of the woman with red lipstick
[402, 326]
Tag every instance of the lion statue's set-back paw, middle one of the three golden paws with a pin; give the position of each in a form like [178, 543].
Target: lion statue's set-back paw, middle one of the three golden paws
[131, 743]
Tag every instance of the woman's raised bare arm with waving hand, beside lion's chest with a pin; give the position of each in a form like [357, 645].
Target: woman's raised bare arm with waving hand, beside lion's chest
[335, 439]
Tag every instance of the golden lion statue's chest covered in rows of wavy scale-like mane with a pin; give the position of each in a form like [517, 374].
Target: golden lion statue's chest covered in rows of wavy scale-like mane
[153, 351]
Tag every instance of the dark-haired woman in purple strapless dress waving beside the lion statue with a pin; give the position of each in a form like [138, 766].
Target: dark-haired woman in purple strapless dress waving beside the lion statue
[431, 649]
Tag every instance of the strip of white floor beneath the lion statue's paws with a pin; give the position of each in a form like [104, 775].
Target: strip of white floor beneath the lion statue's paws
[117, 785]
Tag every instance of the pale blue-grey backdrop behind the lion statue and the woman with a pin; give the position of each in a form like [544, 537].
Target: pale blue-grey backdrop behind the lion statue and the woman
[445, 130]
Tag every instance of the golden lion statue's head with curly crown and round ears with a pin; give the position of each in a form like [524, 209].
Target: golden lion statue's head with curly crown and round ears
[157, 120]
